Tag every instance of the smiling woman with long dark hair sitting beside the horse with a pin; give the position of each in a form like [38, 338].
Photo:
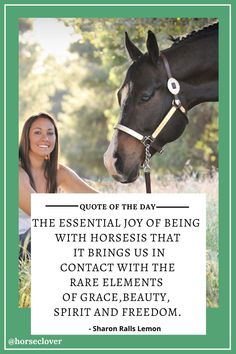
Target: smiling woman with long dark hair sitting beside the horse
[39, 170]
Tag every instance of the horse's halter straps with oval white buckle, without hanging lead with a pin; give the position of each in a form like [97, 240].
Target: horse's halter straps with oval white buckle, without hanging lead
[173, 87]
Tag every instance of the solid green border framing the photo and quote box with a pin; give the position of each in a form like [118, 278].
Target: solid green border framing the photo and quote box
[18, 320]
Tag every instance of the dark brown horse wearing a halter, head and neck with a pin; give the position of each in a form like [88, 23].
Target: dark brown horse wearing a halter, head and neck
[158, 90]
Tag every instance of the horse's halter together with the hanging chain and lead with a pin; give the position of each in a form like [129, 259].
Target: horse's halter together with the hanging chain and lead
[148, 140]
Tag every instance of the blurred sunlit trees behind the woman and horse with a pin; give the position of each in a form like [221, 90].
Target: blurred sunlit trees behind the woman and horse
[72, 69]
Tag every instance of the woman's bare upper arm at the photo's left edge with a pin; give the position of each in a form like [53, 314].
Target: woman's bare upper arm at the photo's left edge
[25, 191]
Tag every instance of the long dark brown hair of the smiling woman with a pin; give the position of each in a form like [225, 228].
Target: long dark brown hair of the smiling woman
[51, 165]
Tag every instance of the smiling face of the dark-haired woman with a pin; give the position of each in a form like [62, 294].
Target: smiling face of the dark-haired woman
[42, 137]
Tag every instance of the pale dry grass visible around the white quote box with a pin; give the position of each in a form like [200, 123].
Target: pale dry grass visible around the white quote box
[167, 184]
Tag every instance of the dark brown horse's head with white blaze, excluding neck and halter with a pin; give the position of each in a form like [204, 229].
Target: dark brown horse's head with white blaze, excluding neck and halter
[144, 100]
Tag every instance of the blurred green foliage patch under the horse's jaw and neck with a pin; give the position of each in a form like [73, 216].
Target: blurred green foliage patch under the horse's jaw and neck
[197, 148]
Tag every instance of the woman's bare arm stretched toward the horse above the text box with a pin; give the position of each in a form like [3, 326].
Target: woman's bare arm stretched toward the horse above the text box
[70, 182]
